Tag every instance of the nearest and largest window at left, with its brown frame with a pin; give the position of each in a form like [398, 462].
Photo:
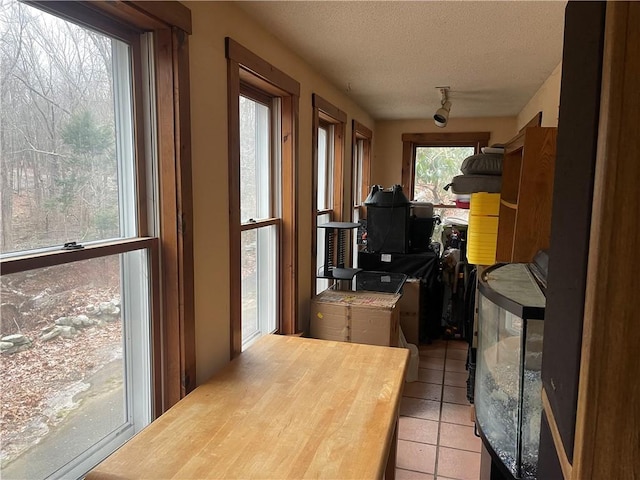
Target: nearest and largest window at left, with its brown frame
[83, 366]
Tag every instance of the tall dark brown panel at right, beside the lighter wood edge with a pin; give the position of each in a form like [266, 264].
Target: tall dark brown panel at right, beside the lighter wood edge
[571, 217]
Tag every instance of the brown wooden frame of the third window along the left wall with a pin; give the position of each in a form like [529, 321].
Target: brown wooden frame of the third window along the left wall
[326, 113]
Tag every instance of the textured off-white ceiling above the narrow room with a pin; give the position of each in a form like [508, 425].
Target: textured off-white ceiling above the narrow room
[390, 55]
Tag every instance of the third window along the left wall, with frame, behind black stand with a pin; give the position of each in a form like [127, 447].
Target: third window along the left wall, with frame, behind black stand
[328, 138]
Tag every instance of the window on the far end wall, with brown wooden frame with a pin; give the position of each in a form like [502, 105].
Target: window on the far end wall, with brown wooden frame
[430, 161]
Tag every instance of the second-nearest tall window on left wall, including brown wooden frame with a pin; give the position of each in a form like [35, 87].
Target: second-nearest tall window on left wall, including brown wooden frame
[263, 197]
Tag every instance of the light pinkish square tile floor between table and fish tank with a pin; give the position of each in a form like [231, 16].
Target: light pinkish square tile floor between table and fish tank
[435, 433]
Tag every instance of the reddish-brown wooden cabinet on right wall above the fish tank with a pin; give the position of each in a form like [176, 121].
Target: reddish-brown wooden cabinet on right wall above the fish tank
[527, 190]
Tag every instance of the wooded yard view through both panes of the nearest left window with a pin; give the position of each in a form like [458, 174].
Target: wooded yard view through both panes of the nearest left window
[76, 336]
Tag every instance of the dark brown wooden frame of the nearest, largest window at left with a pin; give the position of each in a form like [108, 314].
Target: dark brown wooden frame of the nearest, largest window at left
[173, 328]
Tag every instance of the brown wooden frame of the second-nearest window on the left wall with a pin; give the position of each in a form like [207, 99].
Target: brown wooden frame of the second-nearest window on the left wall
[243, 66]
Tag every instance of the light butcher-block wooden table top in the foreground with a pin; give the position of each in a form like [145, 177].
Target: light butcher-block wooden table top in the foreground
[288, 407]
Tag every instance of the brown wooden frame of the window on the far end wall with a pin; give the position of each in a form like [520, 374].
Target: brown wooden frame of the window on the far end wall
[412, 140]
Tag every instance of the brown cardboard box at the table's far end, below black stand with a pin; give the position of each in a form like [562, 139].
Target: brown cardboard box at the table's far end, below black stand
[358, 317]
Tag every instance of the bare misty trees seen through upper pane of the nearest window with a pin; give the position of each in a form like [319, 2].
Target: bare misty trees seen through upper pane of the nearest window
[58, 168]
